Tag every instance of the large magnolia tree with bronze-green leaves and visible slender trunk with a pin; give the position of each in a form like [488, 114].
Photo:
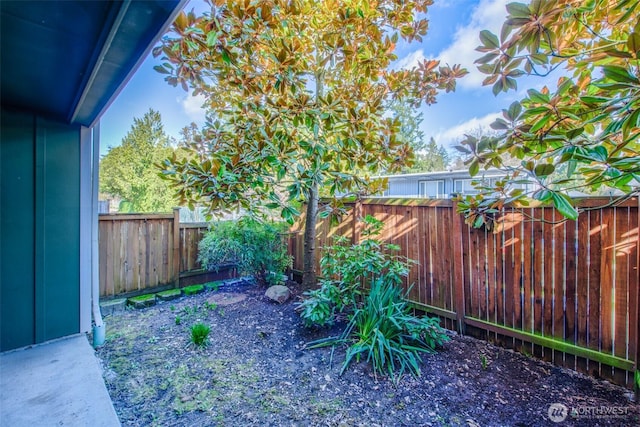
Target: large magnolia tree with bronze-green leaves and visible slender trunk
[296, 93]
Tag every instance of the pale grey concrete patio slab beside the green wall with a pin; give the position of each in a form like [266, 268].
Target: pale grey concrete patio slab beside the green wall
[57, 384]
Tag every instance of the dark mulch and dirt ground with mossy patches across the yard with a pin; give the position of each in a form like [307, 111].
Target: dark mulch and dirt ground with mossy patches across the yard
[255, 371]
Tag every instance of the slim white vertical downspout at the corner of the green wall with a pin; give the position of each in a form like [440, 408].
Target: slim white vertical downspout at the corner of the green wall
[98, 323]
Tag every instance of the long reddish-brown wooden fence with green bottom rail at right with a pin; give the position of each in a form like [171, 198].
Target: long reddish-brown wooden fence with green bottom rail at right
[564, 291]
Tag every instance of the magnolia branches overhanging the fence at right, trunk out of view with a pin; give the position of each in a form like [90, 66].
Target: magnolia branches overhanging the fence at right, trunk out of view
[583, 134]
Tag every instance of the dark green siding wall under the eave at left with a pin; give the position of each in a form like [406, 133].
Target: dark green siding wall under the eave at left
[39, 229]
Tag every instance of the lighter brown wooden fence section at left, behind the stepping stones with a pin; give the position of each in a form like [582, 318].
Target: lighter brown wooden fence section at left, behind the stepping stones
[145, 251]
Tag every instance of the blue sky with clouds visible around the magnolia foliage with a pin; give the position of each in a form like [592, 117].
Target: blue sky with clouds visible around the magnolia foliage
[453, 35]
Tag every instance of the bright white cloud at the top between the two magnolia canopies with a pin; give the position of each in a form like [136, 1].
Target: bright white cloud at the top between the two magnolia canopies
[487, 15]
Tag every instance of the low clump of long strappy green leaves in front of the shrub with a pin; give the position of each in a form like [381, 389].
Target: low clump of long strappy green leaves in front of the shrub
[386, 333]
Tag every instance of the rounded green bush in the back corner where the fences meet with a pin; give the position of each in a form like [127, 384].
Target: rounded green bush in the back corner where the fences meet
[256, 248]
